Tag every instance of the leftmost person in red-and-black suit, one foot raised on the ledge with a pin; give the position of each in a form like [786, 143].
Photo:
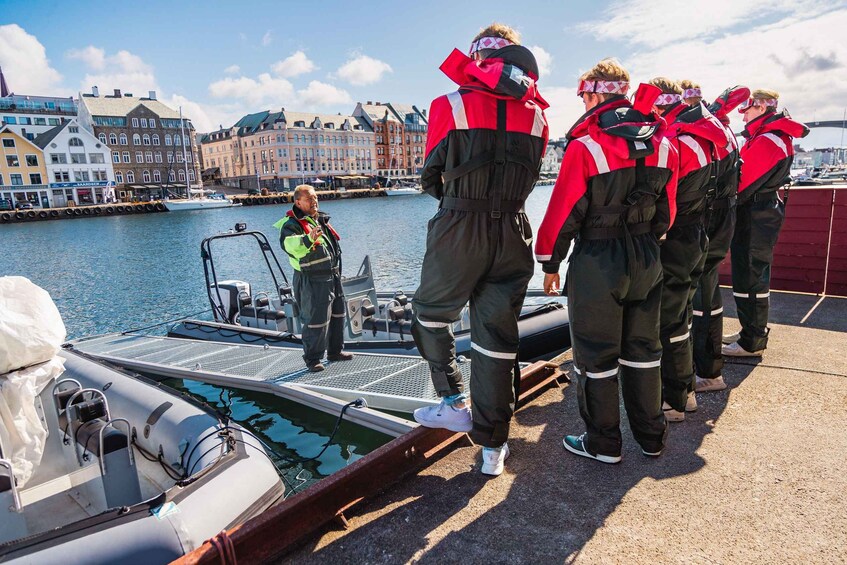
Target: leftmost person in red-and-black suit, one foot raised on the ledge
[484, 149]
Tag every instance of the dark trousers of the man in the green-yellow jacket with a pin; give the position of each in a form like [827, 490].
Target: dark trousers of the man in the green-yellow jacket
[322, 314]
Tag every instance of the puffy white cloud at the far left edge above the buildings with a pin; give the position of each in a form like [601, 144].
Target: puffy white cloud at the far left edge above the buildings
[25, 64]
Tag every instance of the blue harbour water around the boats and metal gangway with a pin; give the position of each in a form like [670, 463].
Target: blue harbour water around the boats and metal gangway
[109, 274]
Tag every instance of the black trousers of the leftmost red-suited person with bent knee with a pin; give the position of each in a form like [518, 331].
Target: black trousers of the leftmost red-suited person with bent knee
[473, 257]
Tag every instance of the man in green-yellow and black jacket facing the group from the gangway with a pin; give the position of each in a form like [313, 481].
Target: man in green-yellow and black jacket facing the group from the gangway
[313, 250]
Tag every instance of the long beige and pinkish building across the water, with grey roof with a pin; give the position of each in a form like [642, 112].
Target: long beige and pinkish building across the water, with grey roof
[279, 150]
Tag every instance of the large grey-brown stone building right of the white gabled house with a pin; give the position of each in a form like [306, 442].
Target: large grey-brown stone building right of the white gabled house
[147, 143]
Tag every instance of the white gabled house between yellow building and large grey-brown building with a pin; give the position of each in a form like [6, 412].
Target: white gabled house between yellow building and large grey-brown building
[79, 165]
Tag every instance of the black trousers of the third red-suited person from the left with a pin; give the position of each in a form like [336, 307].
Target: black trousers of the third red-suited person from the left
[682, 264]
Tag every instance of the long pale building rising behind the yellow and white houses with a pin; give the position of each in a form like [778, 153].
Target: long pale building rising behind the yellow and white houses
[29, 115]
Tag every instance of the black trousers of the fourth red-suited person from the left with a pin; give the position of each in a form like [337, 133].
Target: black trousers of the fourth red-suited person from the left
[707, 328]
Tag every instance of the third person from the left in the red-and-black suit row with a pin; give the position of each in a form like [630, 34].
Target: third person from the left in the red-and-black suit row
[694, 133]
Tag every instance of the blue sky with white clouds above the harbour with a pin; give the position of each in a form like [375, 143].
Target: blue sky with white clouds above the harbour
[221, 60]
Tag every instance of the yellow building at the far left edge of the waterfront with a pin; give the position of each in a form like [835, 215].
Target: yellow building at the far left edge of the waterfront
[23, 172]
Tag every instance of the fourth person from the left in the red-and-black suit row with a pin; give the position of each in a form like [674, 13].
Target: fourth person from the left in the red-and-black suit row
[707, 305]
